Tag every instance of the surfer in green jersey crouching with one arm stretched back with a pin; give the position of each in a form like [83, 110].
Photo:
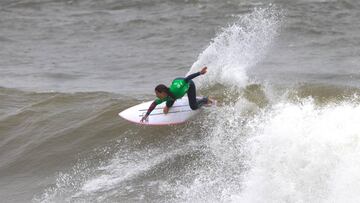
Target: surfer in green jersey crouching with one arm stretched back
[178, 88]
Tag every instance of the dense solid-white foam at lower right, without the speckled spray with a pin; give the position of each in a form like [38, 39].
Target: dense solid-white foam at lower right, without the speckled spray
[304, 153]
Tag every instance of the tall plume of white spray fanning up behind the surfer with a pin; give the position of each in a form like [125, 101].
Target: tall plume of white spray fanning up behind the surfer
[238, 47]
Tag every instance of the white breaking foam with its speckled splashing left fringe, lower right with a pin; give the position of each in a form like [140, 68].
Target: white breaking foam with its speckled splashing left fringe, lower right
[288, 152]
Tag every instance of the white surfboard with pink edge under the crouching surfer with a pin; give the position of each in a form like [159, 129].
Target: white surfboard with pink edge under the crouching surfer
[180, 112]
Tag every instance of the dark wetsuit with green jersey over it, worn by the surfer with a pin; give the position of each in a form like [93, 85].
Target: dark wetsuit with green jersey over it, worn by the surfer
[179, 87]
